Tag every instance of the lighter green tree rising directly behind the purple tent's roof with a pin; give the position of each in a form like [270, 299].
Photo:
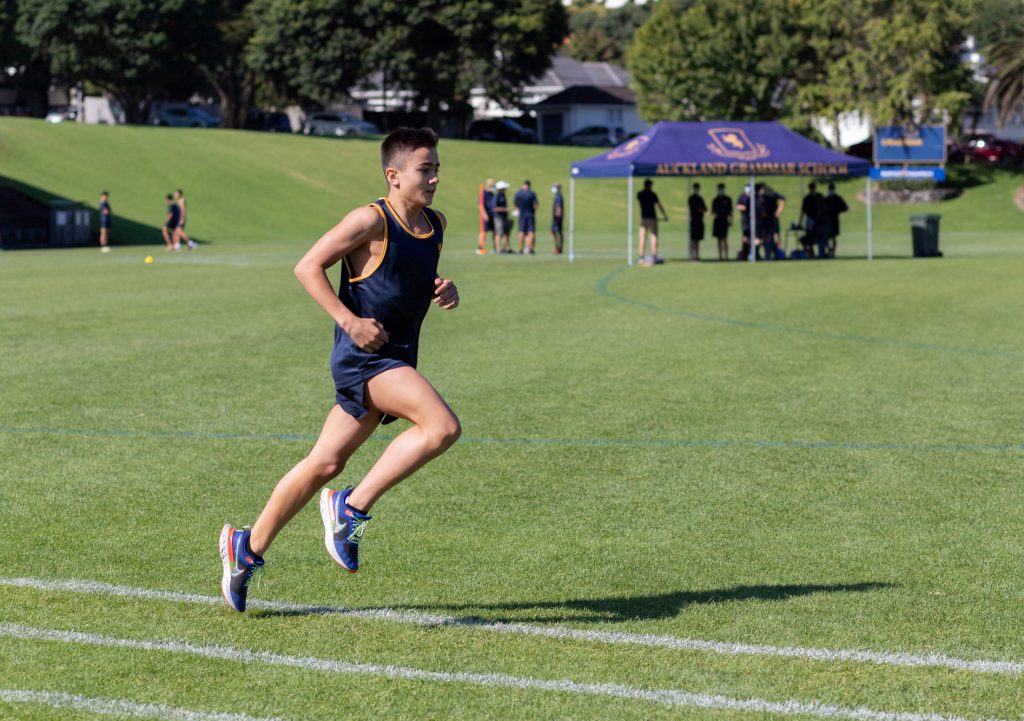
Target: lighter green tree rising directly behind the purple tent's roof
[717, 59]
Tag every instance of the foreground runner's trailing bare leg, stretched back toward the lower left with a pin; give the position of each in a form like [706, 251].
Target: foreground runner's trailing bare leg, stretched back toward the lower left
[340, 438]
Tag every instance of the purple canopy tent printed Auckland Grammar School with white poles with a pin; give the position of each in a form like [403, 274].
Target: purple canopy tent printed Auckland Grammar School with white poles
[715, 149]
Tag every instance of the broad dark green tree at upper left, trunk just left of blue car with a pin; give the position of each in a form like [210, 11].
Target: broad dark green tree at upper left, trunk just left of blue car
[135, 50]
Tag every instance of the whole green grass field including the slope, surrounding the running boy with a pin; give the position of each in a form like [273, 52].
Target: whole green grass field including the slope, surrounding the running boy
[691, 492]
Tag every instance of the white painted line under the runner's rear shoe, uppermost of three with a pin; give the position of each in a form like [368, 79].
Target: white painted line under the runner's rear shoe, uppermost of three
[897, 659]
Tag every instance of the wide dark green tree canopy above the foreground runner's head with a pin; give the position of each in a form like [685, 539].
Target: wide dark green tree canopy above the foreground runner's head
[439, 50]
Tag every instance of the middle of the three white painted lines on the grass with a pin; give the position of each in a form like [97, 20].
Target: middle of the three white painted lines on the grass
[666, 697]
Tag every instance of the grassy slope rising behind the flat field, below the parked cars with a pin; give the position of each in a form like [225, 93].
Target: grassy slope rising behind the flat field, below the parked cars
[254, 188]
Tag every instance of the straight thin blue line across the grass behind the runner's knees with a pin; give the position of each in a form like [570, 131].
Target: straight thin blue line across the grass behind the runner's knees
[572, 443]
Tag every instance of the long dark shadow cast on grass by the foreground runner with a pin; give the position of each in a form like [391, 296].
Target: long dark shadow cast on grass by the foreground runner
[608, 610]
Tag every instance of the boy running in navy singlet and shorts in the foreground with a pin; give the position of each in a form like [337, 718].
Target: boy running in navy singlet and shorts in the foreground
[389, 253]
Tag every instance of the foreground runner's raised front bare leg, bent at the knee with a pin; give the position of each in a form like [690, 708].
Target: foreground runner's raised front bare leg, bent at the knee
[405, 394]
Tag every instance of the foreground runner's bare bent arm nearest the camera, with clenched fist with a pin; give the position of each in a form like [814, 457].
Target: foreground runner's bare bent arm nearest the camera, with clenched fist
[358, 229]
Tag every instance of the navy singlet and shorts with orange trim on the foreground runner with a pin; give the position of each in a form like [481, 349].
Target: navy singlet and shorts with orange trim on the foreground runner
[398, 291]
